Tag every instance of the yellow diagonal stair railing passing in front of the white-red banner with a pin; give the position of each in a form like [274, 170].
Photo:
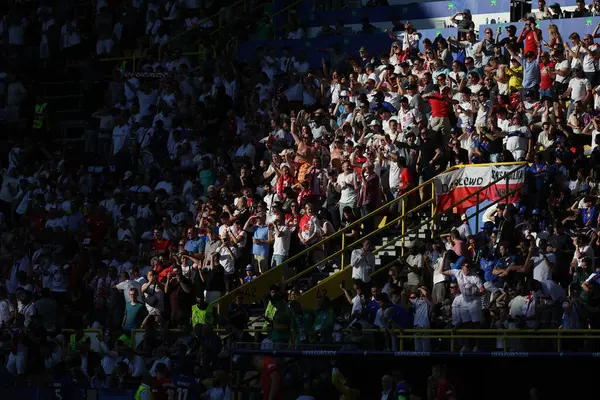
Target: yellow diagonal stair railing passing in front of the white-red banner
[330, 286]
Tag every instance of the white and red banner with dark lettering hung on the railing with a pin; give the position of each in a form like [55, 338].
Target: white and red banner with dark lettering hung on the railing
[453, 186]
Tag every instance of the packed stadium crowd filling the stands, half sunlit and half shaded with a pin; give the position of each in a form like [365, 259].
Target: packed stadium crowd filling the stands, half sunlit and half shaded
[213, 174]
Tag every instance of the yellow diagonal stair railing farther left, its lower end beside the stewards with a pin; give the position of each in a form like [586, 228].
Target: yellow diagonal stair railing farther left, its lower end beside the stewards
[259, 287]
